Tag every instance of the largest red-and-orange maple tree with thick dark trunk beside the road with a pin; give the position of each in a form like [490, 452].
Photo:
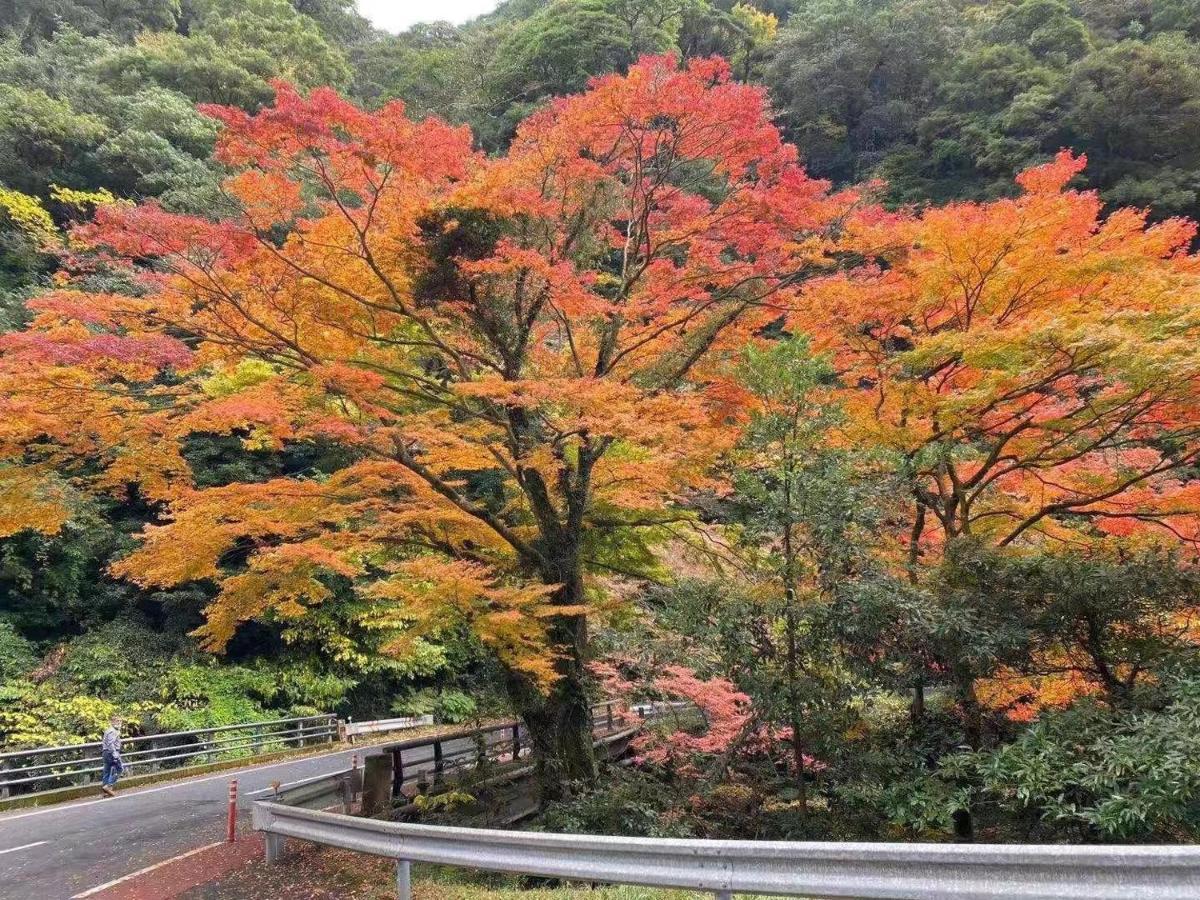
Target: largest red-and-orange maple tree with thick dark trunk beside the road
[521, 358]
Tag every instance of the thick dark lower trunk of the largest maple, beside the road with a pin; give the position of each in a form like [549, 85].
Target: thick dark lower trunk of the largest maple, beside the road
[560, 719]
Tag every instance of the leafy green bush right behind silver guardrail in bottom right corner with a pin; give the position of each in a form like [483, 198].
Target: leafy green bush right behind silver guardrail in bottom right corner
[1094, 772]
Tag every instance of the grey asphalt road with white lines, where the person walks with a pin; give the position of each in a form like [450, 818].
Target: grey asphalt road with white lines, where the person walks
[61, 851]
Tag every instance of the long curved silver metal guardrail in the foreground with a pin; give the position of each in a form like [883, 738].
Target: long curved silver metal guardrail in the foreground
[809, 869]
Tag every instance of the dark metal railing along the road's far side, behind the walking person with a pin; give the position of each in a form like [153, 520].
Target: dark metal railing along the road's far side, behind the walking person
[50, 767]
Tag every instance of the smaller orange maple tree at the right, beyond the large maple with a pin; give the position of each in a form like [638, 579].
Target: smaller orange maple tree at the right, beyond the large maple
[1033, 369]
